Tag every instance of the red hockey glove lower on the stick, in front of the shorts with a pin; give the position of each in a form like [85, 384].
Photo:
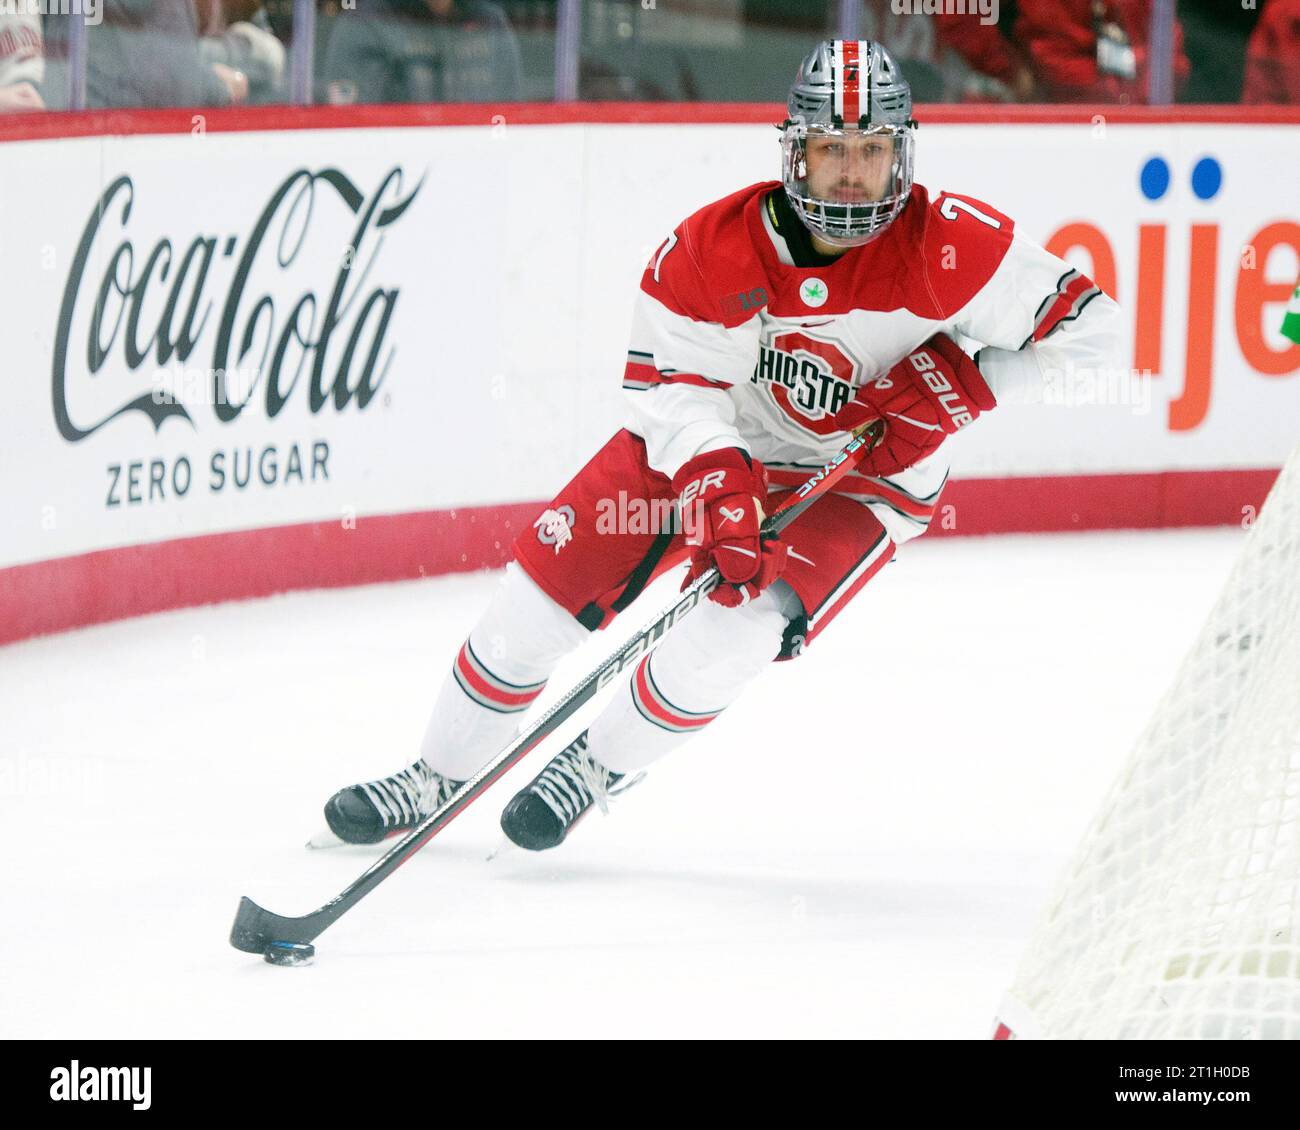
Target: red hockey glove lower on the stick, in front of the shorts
[722, 512]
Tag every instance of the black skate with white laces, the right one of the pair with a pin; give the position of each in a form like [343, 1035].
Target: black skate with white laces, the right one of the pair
[541, 815]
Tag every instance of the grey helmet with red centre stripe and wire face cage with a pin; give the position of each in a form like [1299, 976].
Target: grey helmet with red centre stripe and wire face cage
[850, 89]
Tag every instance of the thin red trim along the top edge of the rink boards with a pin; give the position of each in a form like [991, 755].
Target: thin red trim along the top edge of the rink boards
[120, 123]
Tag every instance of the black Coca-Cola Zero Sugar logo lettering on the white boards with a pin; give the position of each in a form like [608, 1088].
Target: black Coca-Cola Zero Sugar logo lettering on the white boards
[193, 349]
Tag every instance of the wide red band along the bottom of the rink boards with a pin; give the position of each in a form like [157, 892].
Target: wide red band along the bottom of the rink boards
[112, 585]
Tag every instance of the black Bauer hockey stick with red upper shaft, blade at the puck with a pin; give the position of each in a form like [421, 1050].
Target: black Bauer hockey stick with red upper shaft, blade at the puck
[255, 929]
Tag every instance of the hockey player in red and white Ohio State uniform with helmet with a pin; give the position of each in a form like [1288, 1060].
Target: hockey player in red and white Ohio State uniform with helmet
[769, 326]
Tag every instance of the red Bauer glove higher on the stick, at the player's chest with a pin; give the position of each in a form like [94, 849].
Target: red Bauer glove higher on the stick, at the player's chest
[924, 400]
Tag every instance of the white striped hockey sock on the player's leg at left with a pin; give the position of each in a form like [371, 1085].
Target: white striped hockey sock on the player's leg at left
[499, 673]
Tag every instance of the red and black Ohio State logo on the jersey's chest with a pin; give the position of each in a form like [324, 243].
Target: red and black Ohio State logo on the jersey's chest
[811, 379]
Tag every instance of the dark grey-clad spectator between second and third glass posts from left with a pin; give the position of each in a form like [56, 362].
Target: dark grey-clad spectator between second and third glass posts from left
[400, 51]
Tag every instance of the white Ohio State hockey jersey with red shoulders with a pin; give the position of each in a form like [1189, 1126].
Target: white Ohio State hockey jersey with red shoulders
[744, 336]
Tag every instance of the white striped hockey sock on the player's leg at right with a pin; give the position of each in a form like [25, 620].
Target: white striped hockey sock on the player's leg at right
[700, 669]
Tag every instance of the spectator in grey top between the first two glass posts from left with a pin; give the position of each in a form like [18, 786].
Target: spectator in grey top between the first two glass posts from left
[146, 54]
